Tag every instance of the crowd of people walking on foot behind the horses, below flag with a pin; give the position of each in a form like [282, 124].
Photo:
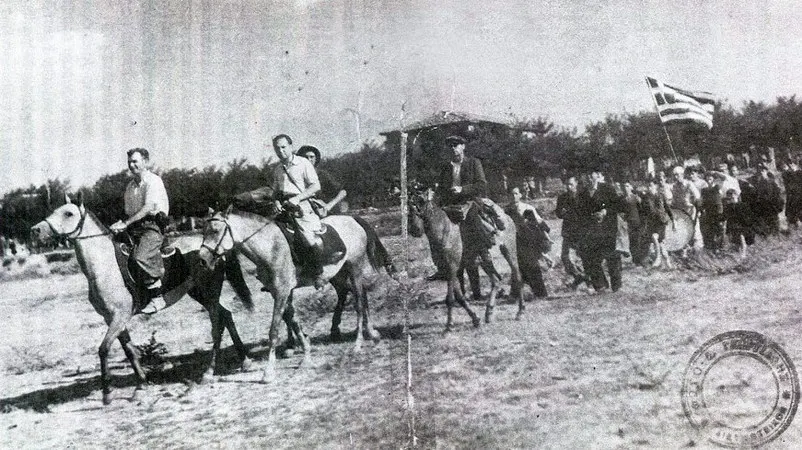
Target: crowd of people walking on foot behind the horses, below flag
[604, 222]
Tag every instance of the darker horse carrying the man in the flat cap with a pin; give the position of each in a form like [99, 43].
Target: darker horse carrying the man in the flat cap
[460, 254]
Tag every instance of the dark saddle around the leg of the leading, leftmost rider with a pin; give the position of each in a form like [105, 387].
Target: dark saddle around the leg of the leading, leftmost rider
[175, 270]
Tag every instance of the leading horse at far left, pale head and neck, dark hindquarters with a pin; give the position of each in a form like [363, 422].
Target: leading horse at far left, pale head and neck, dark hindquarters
[108, 294]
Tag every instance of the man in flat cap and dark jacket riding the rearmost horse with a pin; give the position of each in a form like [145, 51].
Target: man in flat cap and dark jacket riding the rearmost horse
[462, 184]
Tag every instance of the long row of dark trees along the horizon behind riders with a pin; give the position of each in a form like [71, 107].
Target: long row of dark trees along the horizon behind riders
[528, 148]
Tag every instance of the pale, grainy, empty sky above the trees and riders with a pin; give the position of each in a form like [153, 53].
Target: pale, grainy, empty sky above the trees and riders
[202, 83]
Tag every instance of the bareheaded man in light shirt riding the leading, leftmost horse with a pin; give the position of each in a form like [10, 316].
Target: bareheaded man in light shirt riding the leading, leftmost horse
[147, 206]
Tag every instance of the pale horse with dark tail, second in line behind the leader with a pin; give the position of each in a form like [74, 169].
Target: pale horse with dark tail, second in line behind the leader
[261, 240]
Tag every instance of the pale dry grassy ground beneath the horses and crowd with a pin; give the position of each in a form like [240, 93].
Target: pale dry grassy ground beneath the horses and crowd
[578, 371]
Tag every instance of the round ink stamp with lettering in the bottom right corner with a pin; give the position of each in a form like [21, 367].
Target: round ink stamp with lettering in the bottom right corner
[741, 389]
